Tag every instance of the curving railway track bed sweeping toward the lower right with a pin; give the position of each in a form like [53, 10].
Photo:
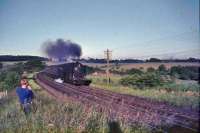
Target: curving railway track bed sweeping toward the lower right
[135, 109]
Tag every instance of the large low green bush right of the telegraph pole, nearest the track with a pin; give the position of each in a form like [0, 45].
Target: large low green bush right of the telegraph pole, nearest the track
[143, 80]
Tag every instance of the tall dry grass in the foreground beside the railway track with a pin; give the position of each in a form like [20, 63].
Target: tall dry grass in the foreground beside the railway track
[59, 117]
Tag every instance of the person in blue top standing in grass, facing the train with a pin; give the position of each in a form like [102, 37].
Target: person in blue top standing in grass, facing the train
[25, 95]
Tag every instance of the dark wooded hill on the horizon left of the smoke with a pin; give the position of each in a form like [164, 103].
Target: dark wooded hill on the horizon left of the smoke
[20, 58]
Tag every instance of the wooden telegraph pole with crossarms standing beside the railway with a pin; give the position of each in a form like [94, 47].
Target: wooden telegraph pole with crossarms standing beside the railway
[108, 54]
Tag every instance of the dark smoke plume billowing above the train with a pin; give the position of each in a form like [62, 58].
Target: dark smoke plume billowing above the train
[61, 49]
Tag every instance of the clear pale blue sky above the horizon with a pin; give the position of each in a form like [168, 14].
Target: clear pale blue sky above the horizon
[129, 28]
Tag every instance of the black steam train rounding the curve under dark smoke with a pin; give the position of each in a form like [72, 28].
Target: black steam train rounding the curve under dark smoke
[73, 73]
